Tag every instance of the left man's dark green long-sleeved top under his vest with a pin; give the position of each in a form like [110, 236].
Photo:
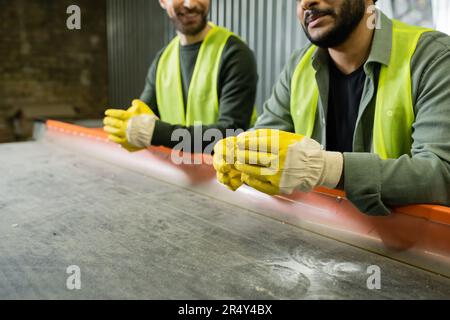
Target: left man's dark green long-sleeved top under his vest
[237, 85]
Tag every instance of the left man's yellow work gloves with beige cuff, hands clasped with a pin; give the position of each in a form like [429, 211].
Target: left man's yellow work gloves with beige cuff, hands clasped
[132, 129]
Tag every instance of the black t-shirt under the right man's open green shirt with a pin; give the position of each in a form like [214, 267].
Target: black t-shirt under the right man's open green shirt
[343, 107]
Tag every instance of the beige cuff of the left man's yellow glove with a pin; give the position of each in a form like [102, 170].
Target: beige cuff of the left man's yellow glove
[140, 130]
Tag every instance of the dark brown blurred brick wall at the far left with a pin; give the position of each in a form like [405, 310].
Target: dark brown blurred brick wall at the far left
[47, 70]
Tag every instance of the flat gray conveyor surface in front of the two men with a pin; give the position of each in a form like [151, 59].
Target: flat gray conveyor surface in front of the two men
[136, 237]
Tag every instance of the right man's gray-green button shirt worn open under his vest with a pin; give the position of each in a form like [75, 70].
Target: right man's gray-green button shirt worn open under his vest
[371, 183]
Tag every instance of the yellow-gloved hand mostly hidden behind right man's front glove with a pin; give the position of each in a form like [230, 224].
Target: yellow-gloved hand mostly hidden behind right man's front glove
[224, 159]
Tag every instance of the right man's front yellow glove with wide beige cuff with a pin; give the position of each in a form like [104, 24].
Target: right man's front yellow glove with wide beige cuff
[277, 162]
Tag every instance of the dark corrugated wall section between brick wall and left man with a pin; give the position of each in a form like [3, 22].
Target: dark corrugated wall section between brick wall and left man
[135, 35]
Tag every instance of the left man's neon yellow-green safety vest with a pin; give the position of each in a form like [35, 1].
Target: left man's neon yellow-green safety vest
[203, 101]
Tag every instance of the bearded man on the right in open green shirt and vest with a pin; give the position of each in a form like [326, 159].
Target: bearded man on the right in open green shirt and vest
[364, 108]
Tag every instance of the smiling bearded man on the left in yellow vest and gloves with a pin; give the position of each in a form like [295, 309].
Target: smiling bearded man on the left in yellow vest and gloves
[205, 79]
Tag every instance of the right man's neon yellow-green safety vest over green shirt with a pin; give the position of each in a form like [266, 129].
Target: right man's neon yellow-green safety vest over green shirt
[394, 109]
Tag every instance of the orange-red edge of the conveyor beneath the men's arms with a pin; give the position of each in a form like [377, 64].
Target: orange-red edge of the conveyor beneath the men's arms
[416, 235]
